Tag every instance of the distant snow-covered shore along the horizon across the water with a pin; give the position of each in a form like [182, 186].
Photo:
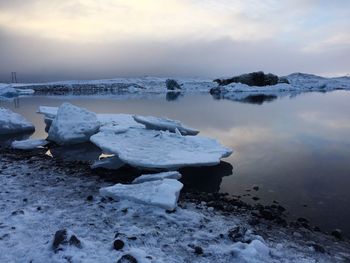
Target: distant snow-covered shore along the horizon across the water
[299, 82]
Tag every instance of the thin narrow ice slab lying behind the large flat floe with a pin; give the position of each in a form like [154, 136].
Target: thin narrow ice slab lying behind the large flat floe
[164, 124]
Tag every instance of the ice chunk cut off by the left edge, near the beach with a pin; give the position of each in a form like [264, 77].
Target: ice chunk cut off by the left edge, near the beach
[11, 122]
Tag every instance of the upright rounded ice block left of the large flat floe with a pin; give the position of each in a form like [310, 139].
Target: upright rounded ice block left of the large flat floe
[73, 125]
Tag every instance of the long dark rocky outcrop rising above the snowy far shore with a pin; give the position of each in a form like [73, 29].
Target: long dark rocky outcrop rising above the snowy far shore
[259, 79]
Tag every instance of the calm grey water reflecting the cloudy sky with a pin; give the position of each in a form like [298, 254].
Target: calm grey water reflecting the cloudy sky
[297, 150]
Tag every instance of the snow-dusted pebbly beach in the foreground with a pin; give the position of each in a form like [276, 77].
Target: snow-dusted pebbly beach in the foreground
[40, 195]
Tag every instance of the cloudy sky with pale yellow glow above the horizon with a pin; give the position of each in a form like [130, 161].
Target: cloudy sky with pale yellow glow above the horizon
[92, 39]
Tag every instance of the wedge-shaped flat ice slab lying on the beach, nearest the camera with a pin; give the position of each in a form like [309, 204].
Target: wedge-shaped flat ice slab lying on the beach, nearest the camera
[161, 193]
